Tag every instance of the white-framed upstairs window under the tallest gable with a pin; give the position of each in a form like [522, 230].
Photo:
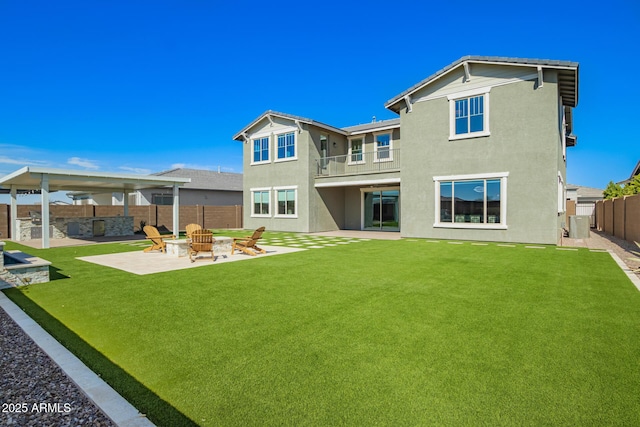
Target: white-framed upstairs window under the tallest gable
[469, 114]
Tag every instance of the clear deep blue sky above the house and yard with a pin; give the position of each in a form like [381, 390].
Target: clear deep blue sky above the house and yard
[145, 86]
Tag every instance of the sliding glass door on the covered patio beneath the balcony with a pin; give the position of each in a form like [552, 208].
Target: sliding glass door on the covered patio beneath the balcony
[381, 210]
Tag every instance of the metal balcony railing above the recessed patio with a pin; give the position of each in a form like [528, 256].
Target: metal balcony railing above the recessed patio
[360, 163]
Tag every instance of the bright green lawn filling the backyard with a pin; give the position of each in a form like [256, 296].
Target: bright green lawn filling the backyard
[406, 332]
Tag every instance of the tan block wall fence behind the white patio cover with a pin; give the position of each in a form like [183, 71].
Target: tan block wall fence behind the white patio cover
[156, 215]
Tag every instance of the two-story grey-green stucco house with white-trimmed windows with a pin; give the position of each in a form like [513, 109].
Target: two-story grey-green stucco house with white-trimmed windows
[478, 152]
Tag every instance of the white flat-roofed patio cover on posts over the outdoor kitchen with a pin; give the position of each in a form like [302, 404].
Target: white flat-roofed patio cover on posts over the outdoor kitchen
[47, 180]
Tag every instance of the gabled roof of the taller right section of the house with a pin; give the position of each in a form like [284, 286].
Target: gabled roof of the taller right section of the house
[567, 79]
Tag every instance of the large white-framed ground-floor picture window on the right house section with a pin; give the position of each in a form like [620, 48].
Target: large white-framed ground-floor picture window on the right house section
[468, 201]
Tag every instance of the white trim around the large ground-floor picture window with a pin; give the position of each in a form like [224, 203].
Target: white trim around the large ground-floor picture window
[502, 176]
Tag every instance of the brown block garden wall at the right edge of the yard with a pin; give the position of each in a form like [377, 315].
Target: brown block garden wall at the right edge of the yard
[620, 217]
